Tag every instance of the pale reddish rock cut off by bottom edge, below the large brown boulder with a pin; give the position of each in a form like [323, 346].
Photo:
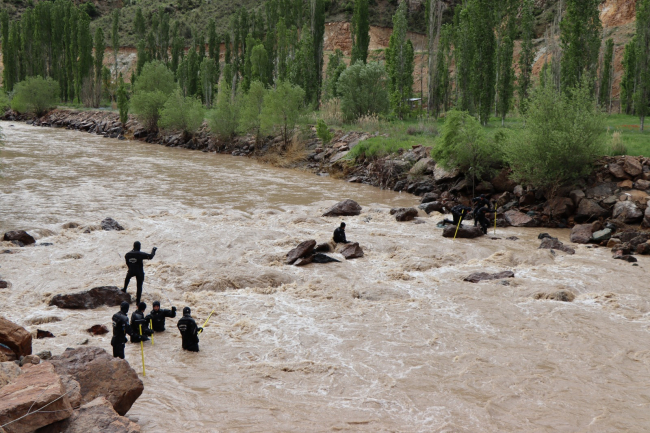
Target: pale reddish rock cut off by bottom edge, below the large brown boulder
[96, 416]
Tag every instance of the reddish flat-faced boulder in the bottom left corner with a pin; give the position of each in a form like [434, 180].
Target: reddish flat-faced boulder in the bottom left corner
[39, 387]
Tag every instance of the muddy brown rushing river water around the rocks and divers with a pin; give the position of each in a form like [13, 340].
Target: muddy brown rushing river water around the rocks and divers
[395, 341]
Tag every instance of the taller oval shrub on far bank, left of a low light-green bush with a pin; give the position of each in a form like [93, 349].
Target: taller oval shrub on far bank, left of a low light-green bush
[152, 88]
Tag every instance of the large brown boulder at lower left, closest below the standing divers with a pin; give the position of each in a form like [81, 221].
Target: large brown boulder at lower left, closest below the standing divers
[100, 375]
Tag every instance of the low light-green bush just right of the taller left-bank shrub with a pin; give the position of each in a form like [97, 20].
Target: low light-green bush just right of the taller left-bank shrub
[182, 113]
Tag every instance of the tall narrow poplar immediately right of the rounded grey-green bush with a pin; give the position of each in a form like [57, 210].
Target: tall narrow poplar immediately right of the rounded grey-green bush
[399, 63]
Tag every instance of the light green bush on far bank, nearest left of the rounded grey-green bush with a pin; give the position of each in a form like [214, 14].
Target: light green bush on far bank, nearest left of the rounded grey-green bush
[281, 109]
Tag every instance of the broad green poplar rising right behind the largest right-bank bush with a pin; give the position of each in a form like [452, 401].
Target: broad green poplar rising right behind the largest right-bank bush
[580, 40]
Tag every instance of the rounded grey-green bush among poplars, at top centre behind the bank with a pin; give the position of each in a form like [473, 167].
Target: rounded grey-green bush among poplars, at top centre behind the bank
[363, 90]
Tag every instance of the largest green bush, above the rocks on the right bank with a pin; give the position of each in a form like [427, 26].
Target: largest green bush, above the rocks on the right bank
[563, 136]
